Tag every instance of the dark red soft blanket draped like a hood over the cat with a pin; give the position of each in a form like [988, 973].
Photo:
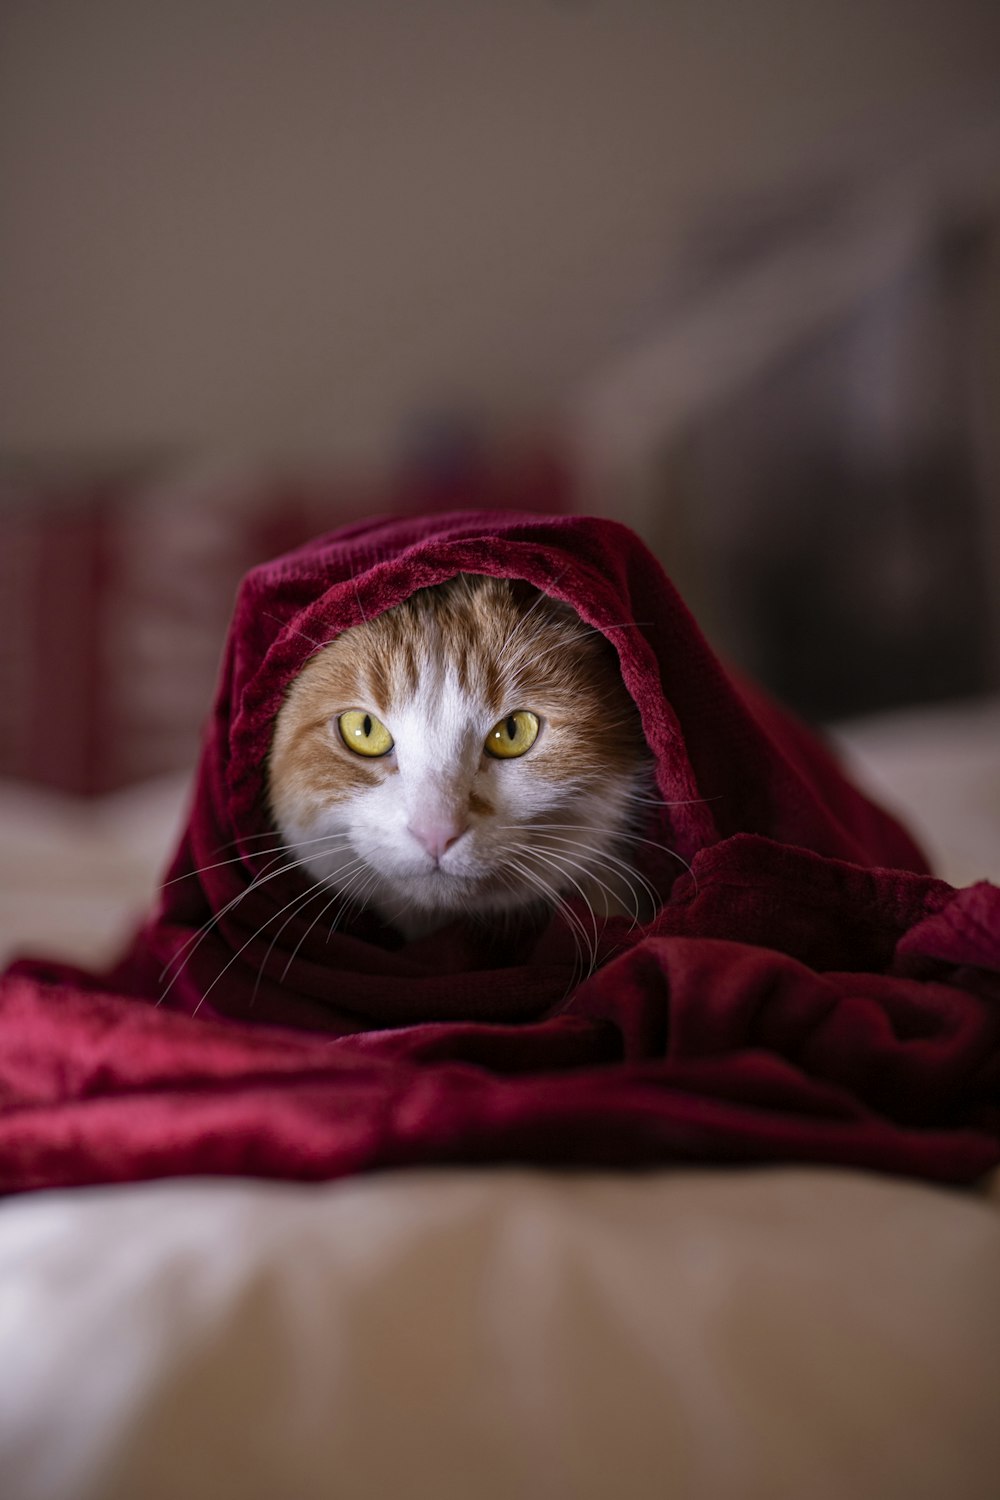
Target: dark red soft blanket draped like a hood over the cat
[807, 992]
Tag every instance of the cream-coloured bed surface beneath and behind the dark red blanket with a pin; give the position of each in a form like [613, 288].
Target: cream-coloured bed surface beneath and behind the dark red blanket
[774, 1331]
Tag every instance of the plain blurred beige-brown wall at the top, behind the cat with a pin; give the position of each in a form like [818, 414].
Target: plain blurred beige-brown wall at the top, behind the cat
[250, 227]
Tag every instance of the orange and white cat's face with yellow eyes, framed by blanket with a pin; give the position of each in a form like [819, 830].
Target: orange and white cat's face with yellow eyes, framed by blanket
[472, 752]
